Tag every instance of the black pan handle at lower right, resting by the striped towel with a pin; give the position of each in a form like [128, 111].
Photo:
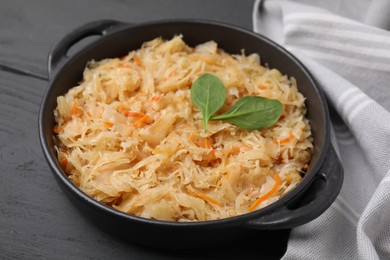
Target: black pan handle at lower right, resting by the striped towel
[316, 199]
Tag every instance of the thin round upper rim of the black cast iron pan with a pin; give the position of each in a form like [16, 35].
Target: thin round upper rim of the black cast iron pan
[69, 185]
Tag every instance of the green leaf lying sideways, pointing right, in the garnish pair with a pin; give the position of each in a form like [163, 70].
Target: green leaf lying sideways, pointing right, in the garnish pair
[253, 112]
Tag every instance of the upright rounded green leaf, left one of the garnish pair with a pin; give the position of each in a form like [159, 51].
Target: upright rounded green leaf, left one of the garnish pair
[208, 93]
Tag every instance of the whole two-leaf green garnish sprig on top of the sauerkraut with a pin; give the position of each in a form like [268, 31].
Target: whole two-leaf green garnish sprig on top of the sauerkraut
[208, 93]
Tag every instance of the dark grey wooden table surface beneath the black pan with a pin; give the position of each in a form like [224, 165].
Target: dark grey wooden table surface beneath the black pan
[36, 220]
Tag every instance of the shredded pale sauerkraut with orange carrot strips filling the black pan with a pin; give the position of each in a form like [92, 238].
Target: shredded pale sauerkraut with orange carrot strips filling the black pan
[129, 137]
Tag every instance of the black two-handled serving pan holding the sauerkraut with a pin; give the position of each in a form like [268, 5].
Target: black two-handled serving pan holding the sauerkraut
[318, 189]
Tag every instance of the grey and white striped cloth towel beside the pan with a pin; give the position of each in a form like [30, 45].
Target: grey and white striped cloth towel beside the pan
[349, 55]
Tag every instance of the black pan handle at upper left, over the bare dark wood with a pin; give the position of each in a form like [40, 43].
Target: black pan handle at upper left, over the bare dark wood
[59, 52]
